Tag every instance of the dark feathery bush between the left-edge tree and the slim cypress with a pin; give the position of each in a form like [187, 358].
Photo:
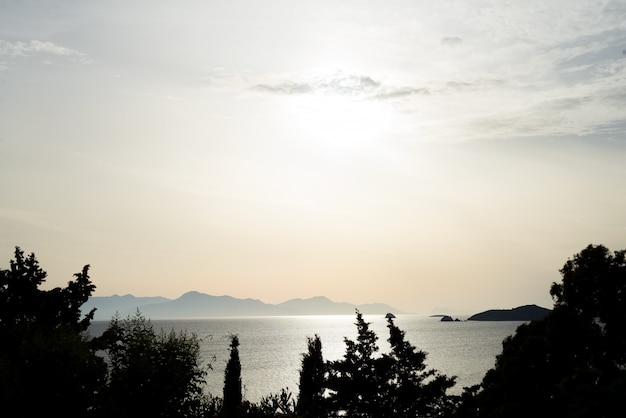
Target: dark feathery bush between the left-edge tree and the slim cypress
[151, 374]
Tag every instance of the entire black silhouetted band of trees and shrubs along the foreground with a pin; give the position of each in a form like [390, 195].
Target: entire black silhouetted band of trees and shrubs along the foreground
[572, 363]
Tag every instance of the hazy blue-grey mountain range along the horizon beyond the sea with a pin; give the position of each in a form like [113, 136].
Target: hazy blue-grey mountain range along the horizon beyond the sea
[200, 305]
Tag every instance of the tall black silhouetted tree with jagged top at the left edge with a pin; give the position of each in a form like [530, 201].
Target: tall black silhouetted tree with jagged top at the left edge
[47, 365]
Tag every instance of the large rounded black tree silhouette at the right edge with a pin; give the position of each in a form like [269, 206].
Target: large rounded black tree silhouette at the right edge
[573, 362]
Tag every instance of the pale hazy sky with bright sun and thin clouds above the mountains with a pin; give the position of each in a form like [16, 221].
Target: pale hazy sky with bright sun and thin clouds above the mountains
[448, 155]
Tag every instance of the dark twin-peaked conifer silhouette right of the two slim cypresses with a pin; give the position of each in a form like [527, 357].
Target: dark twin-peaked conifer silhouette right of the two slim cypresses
[396, 384]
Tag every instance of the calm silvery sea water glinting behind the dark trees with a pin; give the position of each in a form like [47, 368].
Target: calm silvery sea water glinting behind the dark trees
[271, 348]
